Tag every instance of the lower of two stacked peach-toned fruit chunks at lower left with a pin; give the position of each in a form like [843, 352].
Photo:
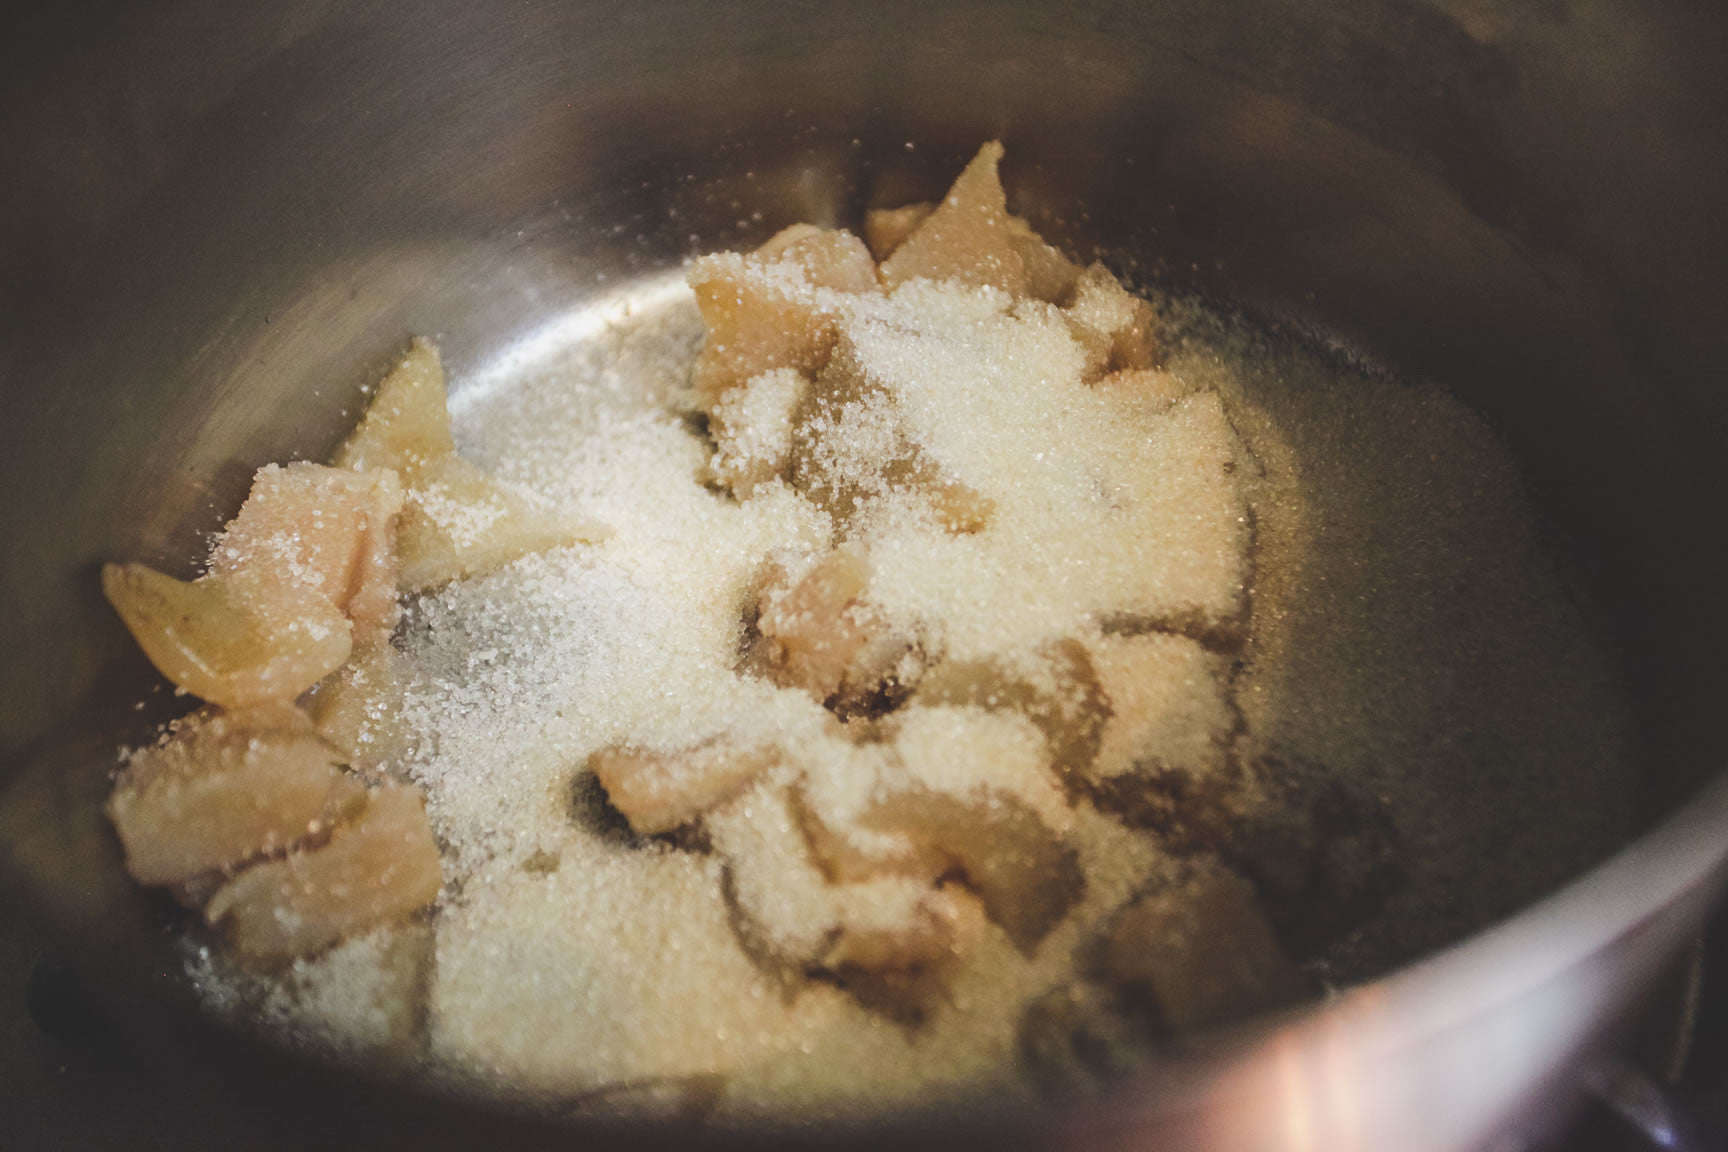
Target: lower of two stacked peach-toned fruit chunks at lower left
[378, 868]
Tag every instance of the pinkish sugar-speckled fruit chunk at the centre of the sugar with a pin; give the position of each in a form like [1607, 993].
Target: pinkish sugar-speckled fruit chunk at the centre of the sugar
[822, 636]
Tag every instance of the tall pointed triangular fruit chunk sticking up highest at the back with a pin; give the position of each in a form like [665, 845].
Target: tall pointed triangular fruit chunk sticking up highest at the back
[967, 237]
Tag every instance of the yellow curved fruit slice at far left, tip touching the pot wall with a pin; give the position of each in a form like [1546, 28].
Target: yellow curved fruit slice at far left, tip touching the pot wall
[213, 640]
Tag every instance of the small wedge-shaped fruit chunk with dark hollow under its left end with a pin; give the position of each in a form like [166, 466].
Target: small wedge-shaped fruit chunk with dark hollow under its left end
[659, 790]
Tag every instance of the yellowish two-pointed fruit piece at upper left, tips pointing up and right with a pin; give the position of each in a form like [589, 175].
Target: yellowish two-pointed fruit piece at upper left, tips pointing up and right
[457, 521]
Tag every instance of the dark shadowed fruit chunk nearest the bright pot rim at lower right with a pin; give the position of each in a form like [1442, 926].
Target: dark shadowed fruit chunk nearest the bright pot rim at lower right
[1204, 951]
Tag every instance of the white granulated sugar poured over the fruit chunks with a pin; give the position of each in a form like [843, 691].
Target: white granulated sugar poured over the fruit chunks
[1404, 633]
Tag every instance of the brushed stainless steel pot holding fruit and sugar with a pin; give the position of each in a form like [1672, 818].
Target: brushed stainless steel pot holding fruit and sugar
[215, 224]
